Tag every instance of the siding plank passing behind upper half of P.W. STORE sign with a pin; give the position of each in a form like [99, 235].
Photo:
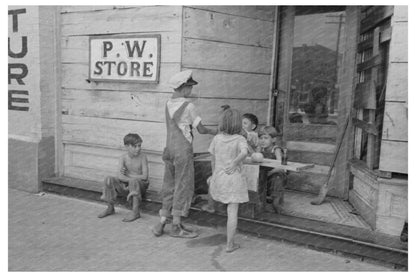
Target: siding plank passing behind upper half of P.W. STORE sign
[75, 49]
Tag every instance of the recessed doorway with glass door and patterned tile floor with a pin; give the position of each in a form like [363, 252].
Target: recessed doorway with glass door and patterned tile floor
[314, 77]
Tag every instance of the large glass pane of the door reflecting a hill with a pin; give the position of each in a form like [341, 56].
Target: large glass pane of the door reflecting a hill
[318, 50]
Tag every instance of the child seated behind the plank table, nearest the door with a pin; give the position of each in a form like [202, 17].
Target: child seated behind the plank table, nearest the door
[272, 181]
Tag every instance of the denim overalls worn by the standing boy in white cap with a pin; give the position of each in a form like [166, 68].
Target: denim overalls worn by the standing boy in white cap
[178, 180]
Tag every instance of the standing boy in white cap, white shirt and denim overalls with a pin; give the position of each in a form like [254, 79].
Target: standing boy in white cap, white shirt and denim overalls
[178, 180]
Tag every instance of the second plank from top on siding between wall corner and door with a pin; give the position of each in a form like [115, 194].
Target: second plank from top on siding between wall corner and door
[209, 25]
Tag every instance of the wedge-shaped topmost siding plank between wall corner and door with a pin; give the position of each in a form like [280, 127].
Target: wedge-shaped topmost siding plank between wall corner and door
[257, 12]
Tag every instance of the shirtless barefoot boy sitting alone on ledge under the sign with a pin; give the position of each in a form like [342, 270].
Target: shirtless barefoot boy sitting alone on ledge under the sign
[132, 180]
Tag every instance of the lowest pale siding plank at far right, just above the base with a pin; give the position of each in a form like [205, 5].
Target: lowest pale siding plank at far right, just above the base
[393, 156]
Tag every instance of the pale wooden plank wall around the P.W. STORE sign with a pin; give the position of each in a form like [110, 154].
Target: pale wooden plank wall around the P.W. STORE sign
[229, 50]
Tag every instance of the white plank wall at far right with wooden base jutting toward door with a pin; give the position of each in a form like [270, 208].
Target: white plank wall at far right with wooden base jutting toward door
[383, 201]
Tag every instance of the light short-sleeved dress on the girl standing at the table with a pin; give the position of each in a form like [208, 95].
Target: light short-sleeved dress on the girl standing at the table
[227, 188]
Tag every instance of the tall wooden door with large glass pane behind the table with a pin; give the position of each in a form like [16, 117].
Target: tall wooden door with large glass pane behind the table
[311, 52]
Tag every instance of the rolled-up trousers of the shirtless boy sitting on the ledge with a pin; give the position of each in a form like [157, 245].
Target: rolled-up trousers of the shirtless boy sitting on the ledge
[113, 187]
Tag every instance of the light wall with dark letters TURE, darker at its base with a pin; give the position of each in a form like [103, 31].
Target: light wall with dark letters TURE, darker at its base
[32, 95]
